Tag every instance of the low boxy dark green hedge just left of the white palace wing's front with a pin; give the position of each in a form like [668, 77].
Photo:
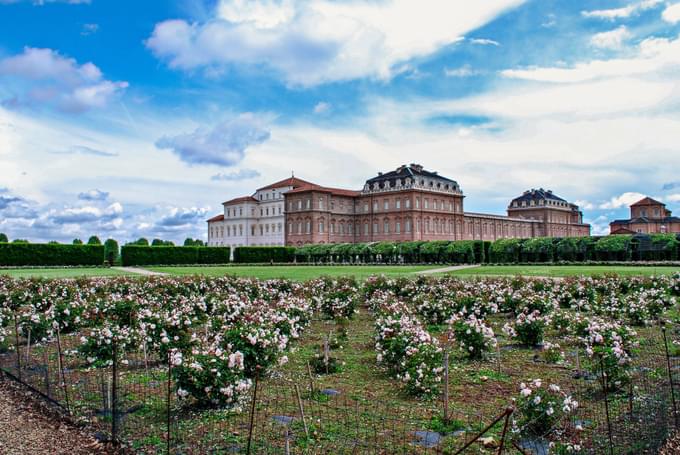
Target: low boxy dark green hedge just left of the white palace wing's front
[171, 255]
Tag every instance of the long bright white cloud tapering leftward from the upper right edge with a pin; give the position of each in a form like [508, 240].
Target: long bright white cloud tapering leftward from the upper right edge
[653, 55]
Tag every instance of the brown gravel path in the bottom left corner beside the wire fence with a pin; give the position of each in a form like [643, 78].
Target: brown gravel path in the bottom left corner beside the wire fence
[28, 425]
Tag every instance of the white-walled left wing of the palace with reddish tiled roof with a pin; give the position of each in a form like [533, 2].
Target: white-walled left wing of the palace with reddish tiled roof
[256, 220]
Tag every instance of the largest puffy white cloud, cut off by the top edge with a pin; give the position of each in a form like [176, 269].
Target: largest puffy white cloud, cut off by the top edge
[315, 41]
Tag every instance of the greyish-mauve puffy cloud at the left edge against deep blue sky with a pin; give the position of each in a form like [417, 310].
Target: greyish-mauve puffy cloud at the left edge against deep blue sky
[47, 77]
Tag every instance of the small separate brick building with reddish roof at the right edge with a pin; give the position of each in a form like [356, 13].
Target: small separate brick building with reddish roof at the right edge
[647, 216]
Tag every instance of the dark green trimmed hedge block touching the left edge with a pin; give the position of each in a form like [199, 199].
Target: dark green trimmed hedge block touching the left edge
[39, 254]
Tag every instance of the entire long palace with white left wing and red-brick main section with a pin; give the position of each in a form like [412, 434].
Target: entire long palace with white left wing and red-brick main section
[409, 203]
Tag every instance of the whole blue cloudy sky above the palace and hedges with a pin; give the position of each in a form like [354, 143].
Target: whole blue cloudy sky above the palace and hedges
[128, 119]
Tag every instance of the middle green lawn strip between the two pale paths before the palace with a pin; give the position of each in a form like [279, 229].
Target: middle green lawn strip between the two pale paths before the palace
[300, 273]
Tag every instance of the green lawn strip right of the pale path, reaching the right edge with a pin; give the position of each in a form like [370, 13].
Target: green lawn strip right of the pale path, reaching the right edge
[564, 270]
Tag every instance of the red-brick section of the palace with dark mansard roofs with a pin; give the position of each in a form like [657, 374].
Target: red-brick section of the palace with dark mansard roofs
[411, 203]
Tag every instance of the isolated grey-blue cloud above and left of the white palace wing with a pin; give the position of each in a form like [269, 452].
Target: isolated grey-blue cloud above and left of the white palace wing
[223, 145]
